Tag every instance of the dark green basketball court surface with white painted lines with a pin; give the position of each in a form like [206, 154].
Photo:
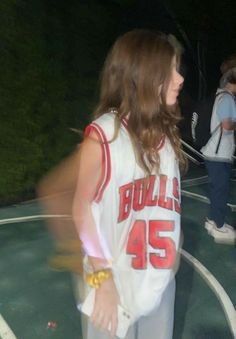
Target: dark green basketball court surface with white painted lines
[38, 303]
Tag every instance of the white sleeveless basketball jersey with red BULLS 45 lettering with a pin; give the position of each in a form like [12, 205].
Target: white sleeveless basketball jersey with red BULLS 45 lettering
[137, 217]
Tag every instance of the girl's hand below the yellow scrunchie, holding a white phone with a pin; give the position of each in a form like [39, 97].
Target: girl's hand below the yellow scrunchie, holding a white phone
[105, 310]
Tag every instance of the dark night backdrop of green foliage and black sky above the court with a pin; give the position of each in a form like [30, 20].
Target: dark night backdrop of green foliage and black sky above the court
[51, 53]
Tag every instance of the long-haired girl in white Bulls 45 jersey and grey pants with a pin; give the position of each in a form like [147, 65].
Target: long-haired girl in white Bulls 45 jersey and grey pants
[127, 206]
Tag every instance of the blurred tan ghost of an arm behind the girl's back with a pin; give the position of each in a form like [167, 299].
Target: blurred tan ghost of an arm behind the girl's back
[56, 192]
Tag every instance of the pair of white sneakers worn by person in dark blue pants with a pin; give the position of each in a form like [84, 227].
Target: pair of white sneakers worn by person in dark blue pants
[226, 234]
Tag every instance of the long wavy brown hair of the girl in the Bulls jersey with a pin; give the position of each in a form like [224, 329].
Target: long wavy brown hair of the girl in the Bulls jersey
[134, 82]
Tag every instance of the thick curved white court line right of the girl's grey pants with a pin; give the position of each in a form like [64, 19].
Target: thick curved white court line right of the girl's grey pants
[217, 288]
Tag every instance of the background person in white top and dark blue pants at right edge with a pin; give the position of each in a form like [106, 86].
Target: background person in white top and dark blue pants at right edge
[218, 154]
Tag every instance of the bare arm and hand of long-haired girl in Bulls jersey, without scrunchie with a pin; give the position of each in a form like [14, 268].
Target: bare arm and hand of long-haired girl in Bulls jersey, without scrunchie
[89, 174]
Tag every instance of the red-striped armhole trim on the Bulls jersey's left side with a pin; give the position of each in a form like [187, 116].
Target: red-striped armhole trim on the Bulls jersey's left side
[106, 159]
